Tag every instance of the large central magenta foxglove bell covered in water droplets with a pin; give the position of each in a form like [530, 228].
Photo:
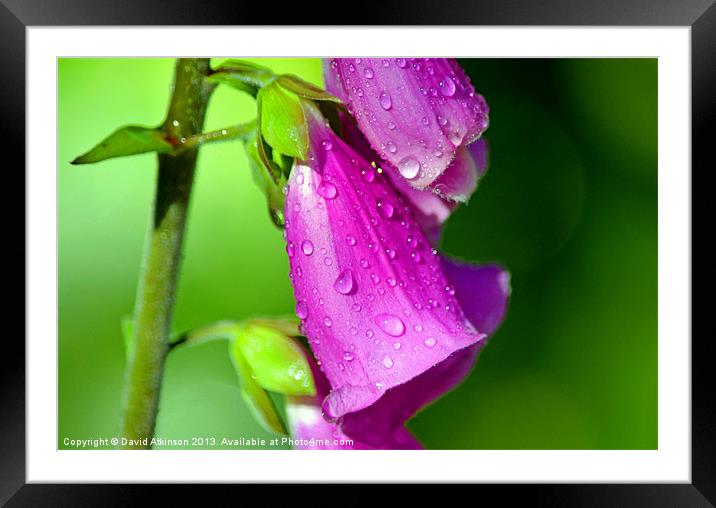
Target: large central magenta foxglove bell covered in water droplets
[375, 303]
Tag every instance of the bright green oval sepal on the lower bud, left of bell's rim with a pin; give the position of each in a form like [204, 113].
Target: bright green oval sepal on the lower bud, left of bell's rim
[277, 362]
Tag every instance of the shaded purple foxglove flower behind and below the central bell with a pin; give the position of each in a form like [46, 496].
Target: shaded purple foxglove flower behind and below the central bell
[482, 291]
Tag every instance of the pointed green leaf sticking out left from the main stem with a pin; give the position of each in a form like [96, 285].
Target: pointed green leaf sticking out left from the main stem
[128, 140]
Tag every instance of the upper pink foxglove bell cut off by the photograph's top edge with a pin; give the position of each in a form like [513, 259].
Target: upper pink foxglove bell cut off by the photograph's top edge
[416, 113]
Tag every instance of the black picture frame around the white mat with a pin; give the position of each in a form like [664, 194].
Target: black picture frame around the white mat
[700, 15]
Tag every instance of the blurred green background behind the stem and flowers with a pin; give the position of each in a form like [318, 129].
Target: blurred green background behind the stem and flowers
[569, 205]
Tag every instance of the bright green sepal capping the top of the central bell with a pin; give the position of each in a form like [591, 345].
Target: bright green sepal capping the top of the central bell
[283, 123]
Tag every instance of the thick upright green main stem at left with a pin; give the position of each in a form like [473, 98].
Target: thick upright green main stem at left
[162, 253]
